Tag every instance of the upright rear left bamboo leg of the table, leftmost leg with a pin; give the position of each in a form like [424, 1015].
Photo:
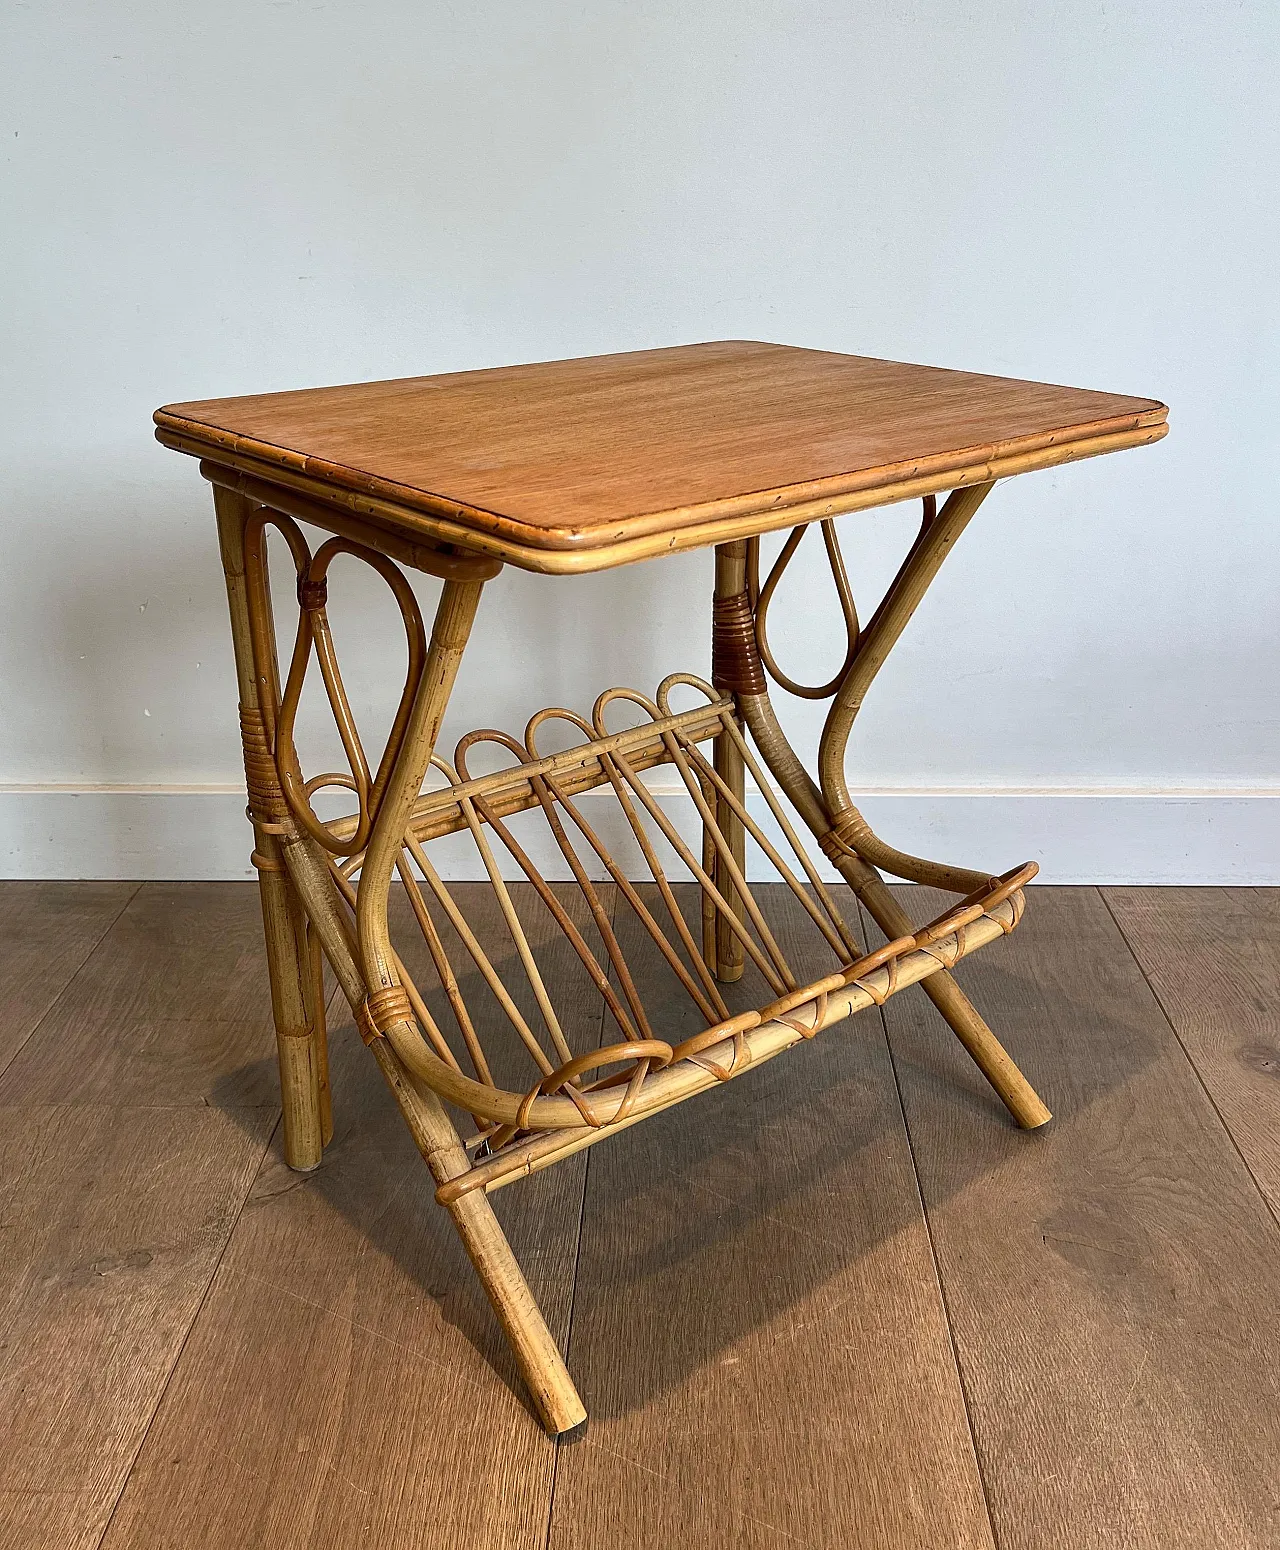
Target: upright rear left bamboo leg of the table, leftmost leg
[303, 1063]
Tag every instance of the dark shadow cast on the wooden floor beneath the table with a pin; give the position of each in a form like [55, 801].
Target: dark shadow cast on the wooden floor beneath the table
[720, 1218]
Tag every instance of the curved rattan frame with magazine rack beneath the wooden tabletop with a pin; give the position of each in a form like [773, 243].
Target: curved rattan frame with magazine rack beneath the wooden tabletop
[326, 884]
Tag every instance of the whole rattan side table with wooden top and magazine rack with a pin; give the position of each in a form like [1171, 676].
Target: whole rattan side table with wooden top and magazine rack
[560, 469]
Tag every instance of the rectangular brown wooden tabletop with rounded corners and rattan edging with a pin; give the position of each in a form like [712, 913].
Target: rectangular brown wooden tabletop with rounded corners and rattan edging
[577, 466]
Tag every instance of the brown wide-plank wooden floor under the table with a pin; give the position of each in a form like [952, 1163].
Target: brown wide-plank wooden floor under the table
[838, 1303]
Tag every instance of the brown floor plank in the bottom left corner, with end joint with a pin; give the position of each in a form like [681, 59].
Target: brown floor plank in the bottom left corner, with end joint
[114, 1221]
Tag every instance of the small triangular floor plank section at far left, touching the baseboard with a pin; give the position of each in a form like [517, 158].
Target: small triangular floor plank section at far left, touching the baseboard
[47, 931]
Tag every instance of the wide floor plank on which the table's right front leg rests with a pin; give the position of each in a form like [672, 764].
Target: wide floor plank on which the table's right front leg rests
[1112, 1280]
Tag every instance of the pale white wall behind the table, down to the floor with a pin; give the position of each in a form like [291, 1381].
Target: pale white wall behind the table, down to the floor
[247, 198]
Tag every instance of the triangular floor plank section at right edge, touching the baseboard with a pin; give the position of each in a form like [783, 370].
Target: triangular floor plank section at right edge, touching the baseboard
[1213, 957]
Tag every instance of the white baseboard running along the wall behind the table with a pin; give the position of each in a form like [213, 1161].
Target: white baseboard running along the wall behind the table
[1113, 836]
